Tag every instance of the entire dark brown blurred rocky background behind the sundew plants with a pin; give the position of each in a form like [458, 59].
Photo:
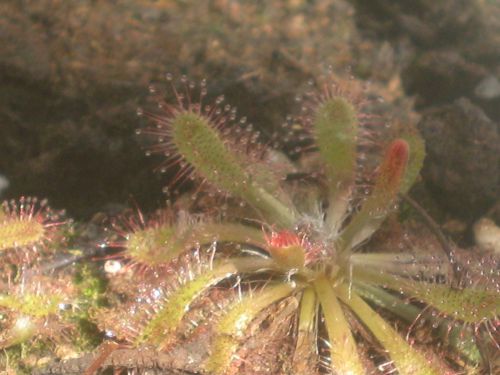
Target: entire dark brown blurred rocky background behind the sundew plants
[72, 74]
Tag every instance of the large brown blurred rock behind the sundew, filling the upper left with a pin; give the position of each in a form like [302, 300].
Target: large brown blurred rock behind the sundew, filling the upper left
[72, 75]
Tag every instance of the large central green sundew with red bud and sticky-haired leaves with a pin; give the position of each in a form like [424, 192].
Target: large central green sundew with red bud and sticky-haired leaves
[268, 243]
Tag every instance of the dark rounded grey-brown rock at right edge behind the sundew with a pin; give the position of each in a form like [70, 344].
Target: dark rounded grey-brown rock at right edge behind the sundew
[462, 168]
